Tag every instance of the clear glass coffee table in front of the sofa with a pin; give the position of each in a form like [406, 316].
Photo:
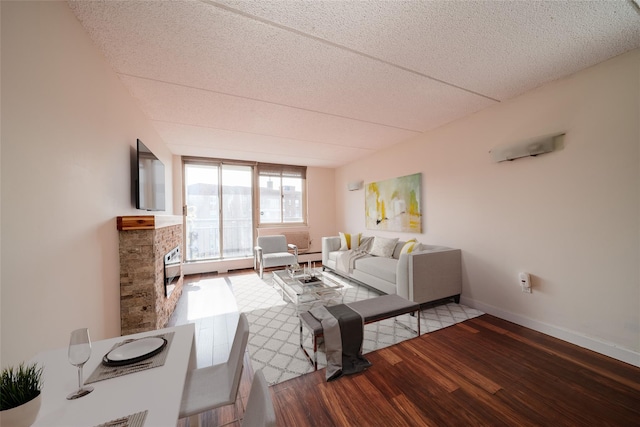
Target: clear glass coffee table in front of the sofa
[308, 289]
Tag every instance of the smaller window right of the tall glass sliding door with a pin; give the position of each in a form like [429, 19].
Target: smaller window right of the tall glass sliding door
[282, 194]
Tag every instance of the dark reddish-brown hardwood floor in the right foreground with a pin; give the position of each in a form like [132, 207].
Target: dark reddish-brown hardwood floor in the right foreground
[484, 371]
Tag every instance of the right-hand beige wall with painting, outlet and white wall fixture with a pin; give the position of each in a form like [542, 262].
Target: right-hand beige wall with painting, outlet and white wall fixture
[570, 218]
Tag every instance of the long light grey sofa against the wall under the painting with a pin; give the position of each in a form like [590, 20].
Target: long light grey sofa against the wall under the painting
[429, 274]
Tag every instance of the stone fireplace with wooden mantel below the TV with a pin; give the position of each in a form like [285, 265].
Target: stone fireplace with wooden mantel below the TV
[144, 243]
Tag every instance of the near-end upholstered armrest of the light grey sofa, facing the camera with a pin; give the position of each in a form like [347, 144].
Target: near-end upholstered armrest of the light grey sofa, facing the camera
[430, 275]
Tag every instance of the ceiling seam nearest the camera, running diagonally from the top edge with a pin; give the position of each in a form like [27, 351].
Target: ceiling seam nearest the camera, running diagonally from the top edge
[342, 47]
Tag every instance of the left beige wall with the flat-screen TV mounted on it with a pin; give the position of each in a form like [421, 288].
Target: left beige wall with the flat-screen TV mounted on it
[69, 129]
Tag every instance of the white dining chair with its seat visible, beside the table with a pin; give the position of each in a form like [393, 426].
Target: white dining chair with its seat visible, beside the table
[216, 386]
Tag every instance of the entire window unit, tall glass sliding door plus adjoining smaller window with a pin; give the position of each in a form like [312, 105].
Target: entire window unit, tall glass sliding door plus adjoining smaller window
[221, 206]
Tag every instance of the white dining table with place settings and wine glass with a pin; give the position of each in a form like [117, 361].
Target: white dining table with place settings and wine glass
[156, 390]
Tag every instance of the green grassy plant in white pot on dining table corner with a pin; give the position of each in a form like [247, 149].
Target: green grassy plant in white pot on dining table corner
[20, 395]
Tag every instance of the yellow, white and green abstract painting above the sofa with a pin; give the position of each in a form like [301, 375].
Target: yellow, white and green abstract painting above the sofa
[394, 204]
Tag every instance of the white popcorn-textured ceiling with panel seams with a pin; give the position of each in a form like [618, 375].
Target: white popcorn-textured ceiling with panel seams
[322, 83]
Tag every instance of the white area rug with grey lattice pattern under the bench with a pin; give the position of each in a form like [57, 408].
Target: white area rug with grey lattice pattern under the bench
[275, 330]
